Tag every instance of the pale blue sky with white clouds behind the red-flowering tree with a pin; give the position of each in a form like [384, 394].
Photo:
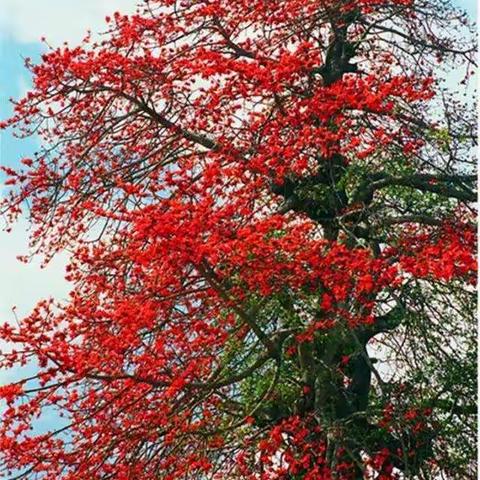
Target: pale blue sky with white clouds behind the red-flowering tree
[22, 24]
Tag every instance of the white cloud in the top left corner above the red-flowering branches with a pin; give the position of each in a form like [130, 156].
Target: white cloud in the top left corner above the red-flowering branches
[57, 20]
